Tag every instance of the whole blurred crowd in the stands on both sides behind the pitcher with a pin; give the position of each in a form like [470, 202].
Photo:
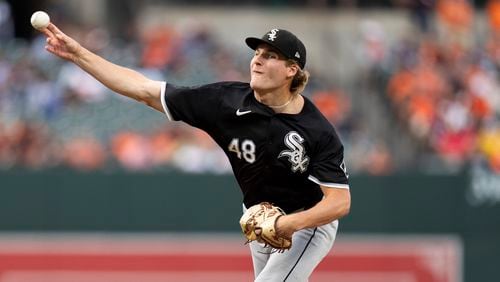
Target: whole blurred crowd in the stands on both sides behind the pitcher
[442, 87]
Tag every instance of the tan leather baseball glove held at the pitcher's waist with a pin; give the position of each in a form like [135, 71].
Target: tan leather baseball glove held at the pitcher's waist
[259, 223]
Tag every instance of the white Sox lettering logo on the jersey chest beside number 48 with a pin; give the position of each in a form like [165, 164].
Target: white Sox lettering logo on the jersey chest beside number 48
[297, 154]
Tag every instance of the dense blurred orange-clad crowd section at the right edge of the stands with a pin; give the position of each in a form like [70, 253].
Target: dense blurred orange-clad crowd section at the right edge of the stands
[444, 85]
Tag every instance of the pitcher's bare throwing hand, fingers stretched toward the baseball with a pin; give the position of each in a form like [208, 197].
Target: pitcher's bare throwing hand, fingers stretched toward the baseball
[60, 44]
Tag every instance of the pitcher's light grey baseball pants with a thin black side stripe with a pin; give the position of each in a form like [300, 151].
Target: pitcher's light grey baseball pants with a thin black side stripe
[309, 247]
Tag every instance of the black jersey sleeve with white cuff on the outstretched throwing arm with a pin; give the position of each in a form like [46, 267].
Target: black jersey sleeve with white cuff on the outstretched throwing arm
[197, 106]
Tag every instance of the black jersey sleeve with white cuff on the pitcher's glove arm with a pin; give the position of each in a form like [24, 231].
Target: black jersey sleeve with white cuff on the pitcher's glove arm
[329, 168]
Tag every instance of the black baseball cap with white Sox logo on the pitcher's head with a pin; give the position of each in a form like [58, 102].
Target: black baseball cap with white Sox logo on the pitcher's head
[284, 41]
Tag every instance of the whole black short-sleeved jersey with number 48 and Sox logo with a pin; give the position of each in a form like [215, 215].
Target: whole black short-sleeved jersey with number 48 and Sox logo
[278, 158]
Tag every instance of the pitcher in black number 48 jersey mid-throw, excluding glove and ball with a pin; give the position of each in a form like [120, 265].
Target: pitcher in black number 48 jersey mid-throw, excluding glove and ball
[282, 150]
